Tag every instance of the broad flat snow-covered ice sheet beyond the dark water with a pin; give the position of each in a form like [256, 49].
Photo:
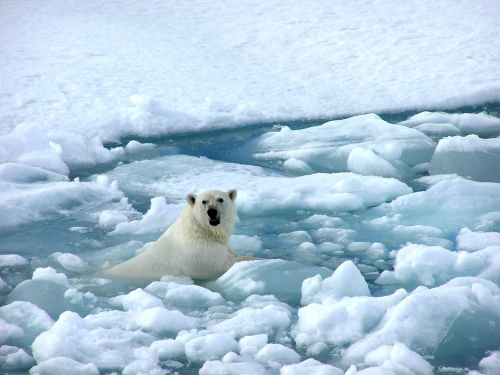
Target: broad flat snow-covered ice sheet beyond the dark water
[298, 65]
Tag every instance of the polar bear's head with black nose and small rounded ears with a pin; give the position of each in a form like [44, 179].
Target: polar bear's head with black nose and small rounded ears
[214, 209]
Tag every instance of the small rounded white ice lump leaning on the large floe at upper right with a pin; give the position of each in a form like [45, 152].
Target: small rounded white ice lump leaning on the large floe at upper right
[366, 162]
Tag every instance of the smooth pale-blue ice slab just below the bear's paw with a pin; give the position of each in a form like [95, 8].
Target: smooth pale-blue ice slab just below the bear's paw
[278, 277]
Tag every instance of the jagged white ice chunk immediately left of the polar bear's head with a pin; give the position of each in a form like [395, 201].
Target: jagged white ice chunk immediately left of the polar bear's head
[158, 218]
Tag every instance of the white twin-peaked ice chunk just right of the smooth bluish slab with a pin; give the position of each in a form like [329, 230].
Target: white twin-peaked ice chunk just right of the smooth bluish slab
[345, 281]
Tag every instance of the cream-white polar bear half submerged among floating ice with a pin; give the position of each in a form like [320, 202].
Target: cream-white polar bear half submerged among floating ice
[196, 245]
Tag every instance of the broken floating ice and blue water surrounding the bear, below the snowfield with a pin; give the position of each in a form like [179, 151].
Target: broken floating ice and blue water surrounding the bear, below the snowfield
[381, 245]
